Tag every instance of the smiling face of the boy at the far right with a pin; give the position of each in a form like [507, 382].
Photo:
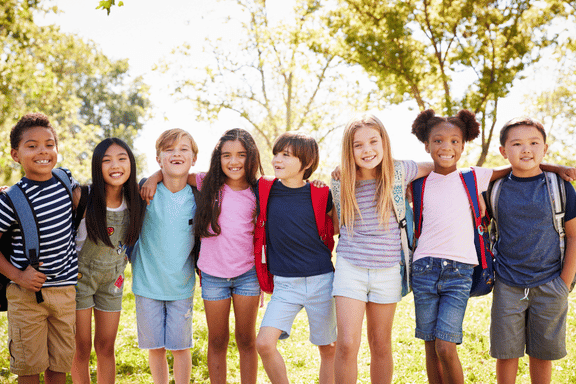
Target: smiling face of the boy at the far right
[524, 148]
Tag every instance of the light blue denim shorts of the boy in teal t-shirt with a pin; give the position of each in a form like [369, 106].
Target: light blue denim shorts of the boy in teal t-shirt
[164, 324]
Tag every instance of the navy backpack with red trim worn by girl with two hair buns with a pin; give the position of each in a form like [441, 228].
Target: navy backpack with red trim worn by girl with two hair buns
[483, 275]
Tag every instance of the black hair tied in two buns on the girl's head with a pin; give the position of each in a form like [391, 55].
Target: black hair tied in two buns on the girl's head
[464, 119]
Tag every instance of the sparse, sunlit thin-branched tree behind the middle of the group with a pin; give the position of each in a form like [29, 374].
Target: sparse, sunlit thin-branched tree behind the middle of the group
[269, 76]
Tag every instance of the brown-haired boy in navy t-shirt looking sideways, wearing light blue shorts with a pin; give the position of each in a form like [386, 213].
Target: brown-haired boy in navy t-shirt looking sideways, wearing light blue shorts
[298, 259]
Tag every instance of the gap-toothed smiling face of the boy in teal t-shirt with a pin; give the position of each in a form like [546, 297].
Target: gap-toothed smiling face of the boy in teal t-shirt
[176, 159]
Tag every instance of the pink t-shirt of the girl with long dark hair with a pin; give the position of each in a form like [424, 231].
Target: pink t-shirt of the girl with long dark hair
[231, 253]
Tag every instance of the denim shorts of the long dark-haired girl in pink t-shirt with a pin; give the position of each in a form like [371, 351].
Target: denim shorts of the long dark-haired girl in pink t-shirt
[220, 288]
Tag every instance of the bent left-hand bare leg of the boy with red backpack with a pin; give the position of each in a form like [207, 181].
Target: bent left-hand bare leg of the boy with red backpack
[266, 344]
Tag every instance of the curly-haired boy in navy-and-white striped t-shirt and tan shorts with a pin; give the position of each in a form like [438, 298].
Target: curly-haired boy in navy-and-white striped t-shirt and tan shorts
[41, 335]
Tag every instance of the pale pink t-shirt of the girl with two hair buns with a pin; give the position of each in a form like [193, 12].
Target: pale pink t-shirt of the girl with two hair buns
[447, 225]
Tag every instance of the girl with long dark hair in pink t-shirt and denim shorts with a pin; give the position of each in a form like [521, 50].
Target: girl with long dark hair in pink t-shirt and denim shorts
[225, 222]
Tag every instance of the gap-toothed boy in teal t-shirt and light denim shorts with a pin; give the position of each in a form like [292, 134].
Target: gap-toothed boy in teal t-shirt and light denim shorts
[163, 269]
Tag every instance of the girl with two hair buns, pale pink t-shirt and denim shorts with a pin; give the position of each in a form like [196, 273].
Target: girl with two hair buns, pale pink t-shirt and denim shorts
[445, 257]
